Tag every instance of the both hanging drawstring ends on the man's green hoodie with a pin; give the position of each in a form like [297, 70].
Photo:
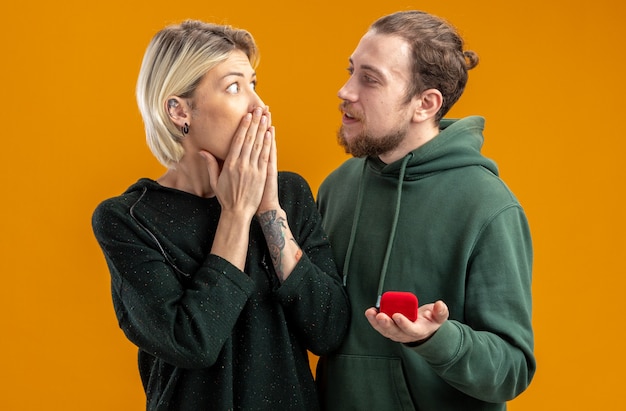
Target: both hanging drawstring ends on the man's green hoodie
[392, 233]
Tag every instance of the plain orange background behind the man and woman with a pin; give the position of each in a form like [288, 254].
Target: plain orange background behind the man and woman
[550, 83]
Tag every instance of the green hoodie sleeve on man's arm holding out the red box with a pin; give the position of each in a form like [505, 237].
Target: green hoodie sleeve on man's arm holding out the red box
[489, 355]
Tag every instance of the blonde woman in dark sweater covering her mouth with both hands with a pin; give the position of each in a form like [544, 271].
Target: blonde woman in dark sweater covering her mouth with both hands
[221, 273]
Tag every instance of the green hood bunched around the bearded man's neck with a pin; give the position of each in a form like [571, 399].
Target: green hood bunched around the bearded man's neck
[457, 145]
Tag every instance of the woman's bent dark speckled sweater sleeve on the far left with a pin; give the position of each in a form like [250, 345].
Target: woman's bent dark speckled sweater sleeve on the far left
[186, 323]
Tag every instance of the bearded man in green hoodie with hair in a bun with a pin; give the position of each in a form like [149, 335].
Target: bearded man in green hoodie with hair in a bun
[419, 209]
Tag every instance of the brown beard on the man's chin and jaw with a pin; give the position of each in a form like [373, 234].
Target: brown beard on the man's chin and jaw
[366, 144]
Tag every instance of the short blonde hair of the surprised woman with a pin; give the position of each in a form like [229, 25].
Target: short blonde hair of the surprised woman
[174, 64]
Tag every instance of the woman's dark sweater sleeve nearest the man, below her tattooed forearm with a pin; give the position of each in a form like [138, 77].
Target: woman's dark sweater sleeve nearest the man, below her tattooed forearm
[314, 299]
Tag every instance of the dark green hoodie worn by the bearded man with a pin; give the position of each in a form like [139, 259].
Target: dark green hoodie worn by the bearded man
[441, 224]
